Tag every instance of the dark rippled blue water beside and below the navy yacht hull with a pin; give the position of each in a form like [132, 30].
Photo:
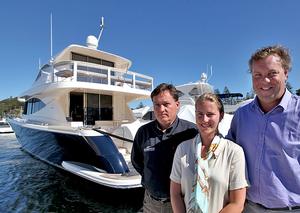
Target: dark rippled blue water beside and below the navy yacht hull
[29, 185]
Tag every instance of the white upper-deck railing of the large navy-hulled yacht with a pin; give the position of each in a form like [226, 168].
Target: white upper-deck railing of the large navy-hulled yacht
[78, 71]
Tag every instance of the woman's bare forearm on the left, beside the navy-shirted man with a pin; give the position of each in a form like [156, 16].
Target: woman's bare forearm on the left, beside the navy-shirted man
[177, 198]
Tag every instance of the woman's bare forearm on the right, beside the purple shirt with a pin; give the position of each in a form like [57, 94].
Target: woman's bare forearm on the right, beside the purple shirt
[236, 201]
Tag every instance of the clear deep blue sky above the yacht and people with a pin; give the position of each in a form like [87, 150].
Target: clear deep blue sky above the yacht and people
[171, 40]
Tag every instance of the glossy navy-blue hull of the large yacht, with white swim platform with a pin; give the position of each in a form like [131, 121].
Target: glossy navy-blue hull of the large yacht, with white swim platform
[95, 158]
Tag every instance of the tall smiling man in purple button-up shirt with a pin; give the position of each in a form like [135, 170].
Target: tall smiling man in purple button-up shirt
[268, 129]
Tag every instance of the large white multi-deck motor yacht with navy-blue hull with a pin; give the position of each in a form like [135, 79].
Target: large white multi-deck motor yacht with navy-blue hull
[76, 114]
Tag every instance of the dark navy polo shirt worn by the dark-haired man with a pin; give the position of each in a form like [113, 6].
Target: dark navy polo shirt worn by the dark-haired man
[153, 151]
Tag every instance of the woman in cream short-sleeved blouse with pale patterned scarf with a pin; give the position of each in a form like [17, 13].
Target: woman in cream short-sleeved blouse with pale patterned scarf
[208, 174]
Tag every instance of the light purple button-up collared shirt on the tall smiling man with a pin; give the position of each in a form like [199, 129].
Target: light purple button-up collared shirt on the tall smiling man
[271, 142]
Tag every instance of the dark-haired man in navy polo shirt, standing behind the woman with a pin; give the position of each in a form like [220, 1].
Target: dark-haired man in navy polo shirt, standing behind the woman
[154, 147]
